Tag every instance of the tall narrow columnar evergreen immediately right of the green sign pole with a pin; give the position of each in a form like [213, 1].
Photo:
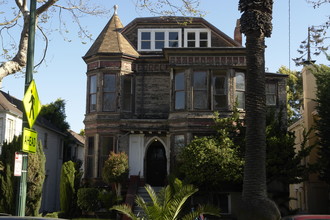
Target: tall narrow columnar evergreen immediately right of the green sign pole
[35, 180]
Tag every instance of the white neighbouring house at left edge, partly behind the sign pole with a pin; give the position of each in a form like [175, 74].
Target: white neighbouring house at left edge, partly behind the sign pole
[52, 141]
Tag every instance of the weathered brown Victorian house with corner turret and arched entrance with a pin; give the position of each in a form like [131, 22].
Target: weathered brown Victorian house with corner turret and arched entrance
[154, 84]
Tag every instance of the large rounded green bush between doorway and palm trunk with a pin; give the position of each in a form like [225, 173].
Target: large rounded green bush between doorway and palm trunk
[210, 161]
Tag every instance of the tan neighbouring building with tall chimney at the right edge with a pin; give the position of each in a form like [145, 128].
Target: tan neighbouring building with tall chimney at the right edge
[311, 196]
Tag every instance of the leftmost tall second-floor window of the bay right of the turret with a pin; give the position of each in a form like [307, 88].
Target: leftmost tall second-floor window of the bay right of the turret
[179, 90]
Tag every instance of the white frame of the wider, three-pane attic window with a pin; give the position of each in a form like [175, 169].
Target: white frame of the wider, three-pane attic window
[153, 40]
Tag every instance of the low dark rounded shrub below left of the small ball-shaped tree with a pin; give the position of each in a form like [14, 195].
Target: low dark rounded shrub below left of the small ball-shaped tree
[88, 199]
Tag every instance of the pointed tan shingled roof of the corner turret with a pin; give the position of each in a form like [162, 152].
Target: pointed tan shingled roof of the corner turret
[111, 41]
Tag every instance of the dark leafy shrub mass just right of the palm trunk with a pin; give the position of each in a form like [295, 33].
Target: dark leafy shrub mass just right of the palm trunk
[283, 163]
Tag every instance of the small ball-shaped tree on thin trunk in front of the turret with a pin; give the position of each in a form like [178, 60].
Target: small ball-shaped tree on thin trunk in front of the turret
[115, 170]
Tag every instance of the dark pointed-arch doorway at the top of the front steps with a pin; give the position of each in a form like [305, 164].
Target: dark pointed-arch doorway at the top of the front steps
[156, 164]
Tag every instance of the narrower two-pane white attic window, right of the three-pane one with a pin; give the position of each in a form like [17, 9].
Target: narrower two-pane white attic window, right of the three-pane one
[197, 38]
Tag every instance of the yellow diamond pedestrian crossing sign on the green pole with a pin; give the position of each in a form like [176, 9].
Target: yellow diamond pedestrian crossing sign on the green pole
[31, 103]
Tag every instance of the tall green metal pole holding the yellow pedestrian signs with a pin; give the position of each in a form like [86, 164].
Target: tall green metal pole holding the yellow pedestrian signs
[20, 208]
